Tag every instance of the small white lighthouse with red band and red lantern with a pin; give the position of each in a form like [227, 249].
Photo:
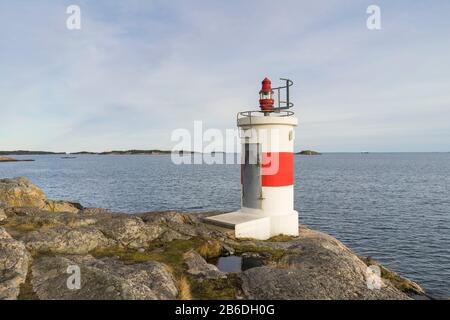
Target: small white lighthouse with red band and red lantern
[267, 168]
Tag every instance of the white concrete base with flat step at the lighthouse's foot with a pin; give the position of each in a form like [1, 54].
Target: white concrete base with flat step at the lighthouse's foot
[257, 225]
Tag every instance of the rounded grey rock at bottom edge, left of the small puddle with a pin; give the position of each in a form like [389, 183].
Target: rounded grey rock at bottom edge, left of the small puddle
[102, 279]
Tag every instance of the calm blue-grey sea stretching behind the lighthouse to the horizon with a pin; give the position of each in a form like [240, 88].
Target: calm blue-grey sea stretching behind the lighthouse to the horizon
[392, 207]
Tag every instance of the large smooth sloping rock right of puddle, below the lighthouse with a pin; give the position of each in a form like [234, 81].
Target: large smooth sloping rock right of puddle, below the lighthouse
[315, 266]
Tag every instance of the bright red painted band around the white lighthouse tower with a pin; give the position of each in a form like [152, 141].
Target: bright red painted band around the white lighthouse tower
[277, 169]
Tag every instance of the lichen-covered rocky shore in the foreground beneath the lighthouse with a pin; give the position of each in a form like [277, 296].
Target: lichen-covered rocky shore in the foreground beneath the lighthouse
[166, 255]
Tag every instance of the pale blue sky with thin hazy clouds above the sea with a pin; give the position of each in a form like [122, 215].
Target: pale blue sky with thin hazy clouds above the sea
[138, 70]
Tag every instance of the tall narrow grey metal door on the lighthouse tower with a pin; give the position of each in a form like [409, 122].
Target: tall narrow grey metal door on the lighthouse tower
[251, 174]
